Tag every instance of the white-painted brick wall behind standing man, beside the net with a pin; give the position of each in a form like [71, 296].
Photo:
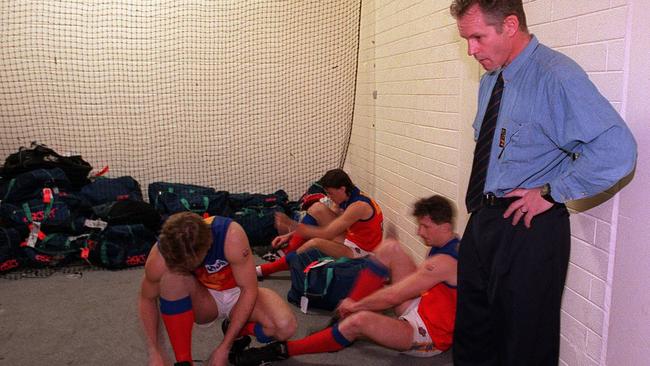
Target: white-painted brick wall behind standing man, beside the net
[412, 140]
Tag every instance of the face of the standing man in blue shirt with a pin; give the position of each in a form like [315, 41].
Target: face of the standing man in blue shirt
[491, 48]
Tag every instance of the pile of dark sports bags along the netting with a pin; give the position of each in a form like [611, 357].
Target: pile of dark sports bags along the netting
[52, 213]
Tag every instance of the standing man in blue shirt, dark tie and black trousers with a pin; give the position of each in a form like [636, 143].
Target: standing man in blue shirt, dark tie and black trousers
[545, 135]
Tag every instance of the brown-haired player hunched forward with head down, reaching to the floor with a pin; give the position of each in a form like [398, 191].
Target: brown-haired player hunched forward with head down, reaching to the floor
[202, 270]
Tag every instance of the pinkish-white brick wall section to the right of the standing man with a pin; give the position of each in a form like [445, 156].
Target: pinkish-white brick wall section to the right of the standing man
[592, 32]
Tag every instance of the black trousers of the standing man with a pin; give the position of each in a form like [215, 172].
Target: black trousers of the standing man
[510, 283]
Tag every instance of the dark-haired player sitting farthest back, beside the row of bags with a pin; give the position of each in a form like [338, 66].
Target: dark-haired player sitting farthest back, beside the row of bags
[353, 228]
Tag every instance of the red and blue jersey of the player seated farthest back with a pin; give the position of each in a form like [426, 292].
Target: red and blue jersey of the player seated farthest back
[366, 234]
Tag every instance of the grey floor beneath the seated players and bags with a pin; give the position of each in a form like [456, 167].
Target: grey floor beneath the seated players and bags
[91, 318]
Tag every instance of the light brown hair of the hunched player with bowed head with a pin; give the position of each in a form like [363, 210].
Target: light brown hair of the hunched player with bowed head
[184, 240]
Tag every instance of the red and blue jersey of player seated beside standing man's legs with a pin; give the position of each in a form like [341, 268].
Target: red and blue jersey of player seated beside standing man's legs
[437, 307]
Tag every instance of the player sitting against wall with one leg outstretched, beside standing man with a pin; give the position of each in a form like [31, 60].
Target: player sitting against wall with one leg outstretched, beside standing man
[423, 296]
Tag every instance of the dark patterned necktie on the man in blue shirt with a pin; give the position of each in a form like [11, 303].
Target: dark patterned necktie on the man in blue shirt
[482, 149]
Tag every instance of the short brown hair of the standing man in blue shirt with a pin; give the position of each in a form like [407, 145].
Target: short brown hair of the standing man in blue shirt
[495, 11]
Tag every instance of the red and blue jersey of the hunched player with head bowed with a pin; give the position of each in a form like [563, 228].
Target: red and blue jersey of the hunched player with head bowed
[215, 271]
